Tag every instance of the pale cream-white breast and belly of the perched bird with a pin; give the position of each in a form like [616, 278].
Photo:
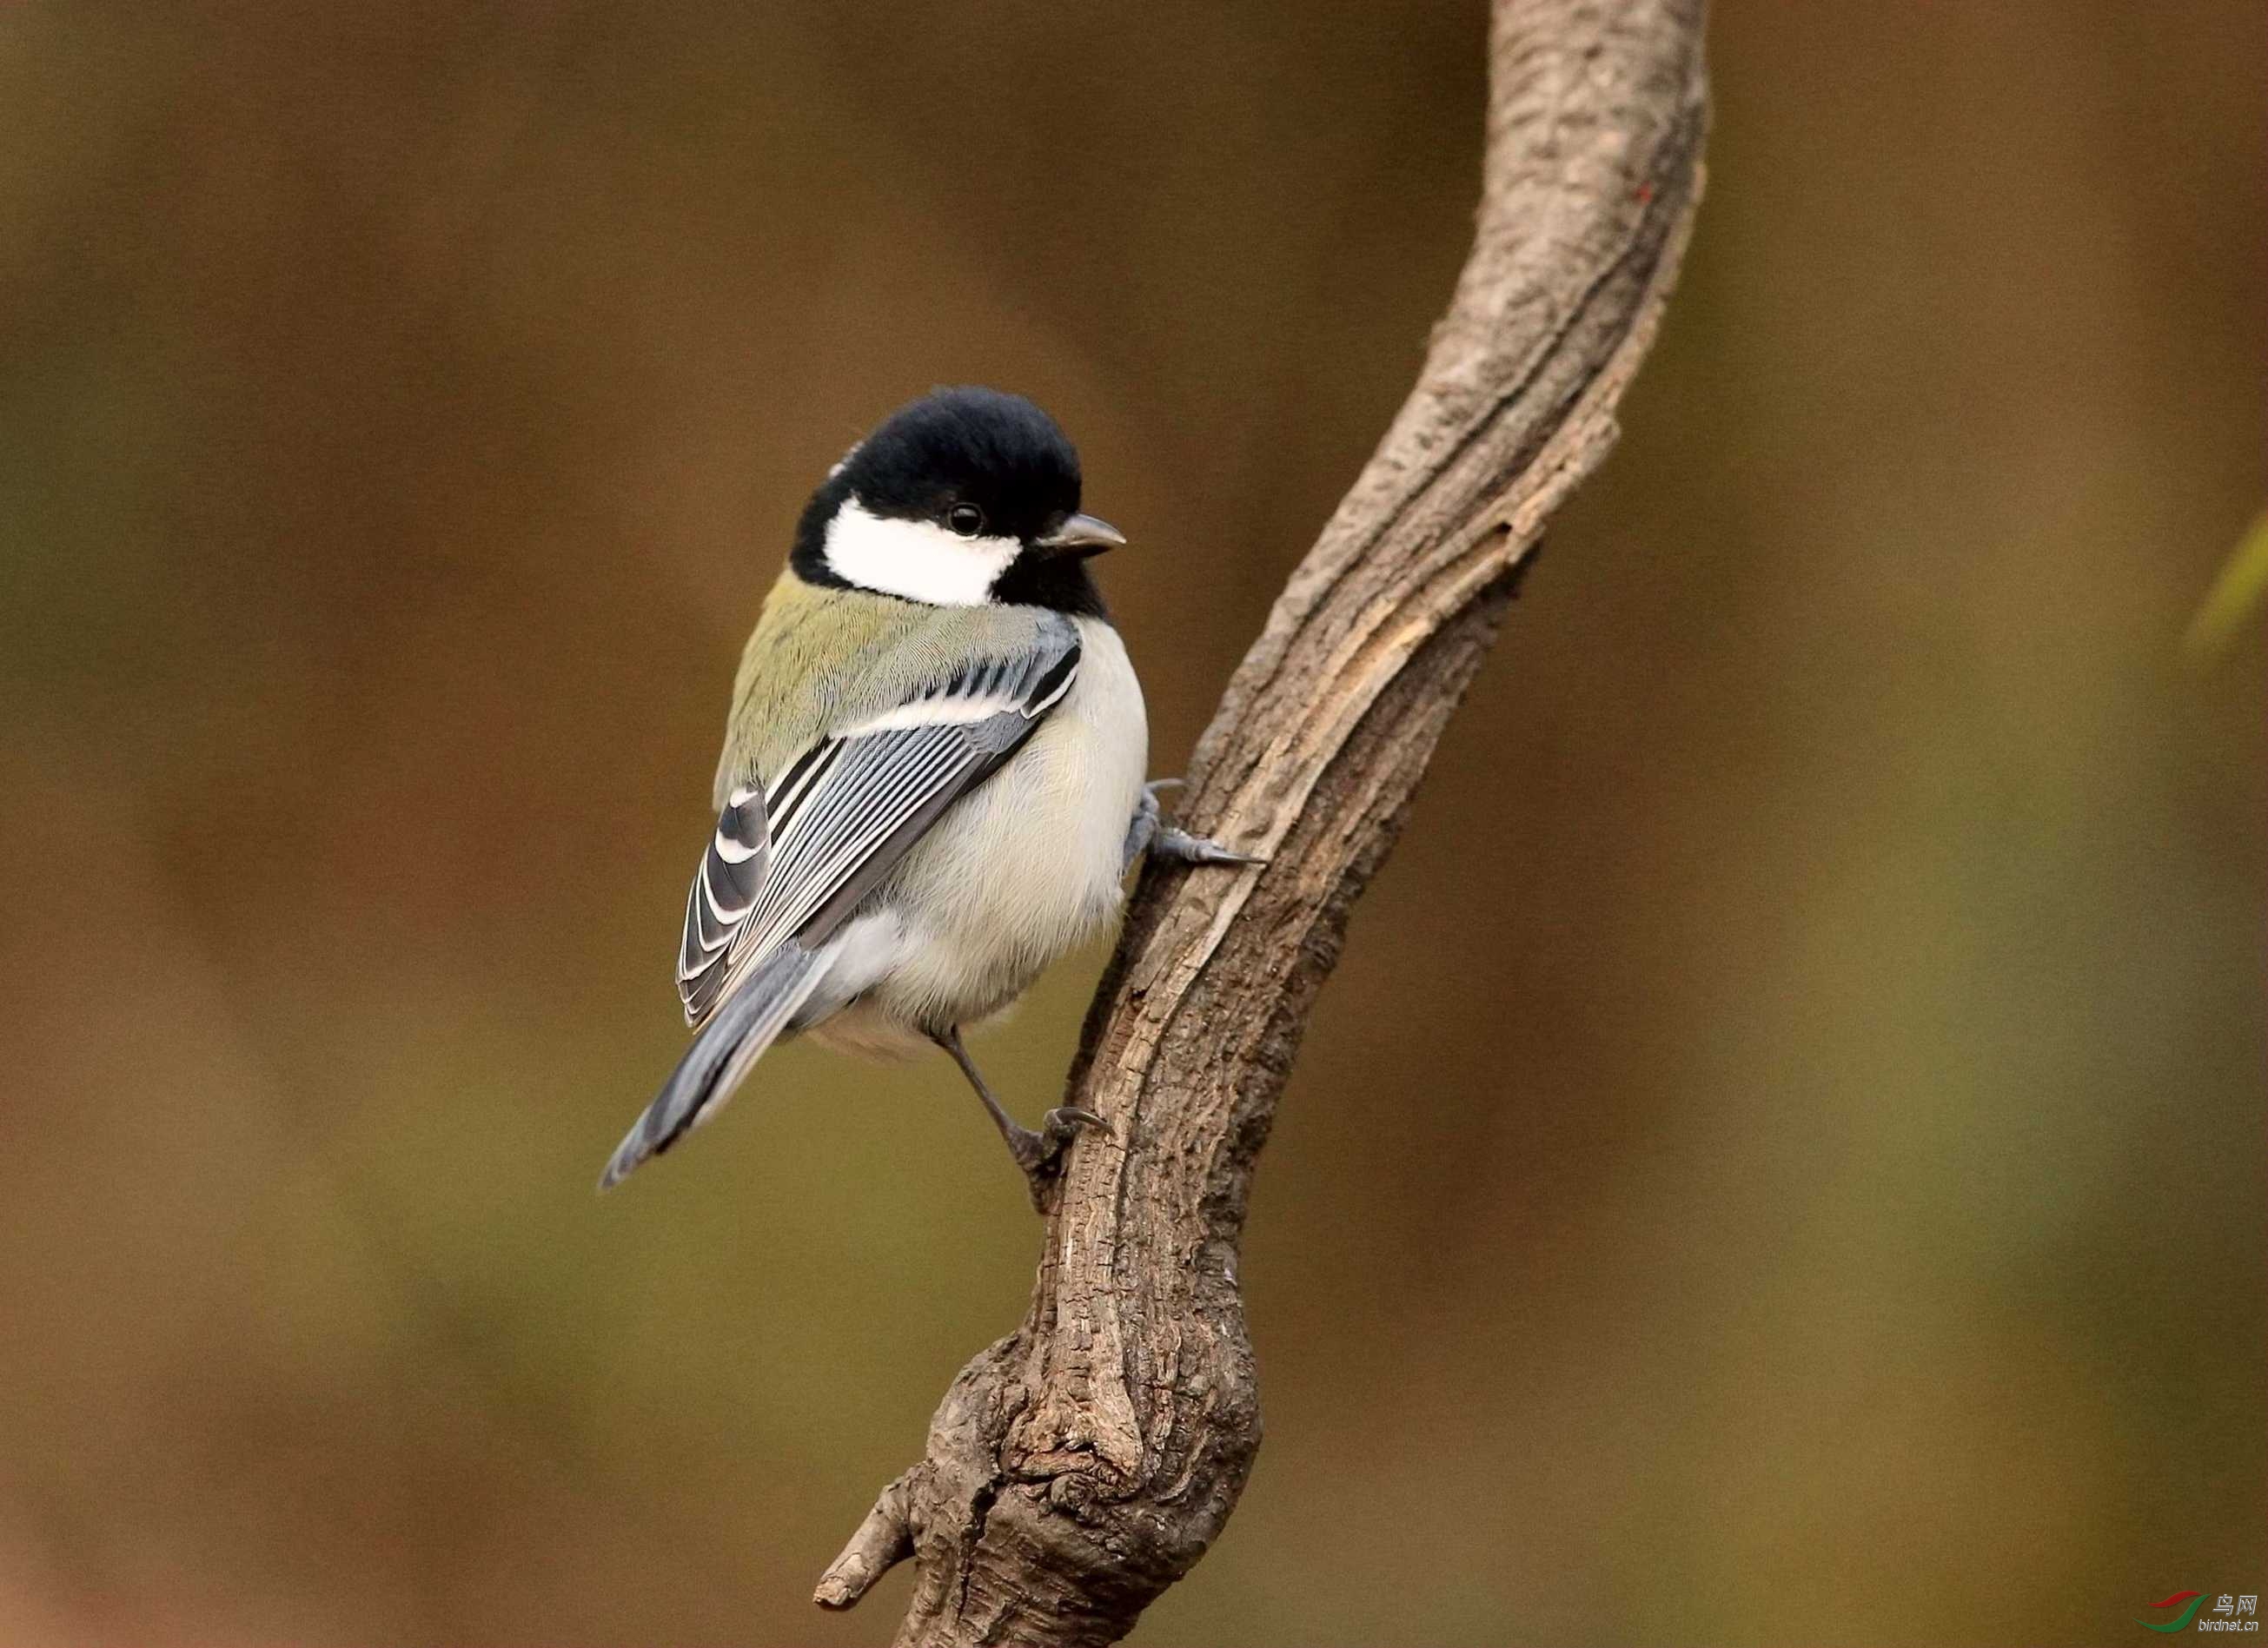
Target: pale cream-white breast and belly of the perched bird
[1015, 876]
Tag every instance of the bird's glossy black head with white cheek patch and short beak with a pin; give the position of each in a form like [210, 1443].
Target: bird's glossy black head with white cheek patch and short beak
[958, 500]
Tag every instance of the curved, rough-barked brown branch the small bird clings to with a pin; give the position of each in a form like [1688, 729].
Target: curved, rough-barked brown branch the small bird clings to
[1085, 1463]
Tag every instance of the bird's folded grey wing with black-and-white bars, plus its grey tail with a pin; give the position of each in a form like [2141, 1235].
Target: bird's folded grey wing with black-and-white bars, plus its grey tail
[790, 865]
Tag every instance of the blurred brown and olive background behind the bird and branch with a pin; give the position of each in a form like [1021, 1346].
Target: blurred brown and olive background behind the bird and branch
[1784, 1157]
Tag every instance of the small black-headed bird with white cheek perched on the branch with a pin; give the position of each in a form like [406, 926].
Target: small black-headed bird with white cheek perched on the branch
[933, 776]
